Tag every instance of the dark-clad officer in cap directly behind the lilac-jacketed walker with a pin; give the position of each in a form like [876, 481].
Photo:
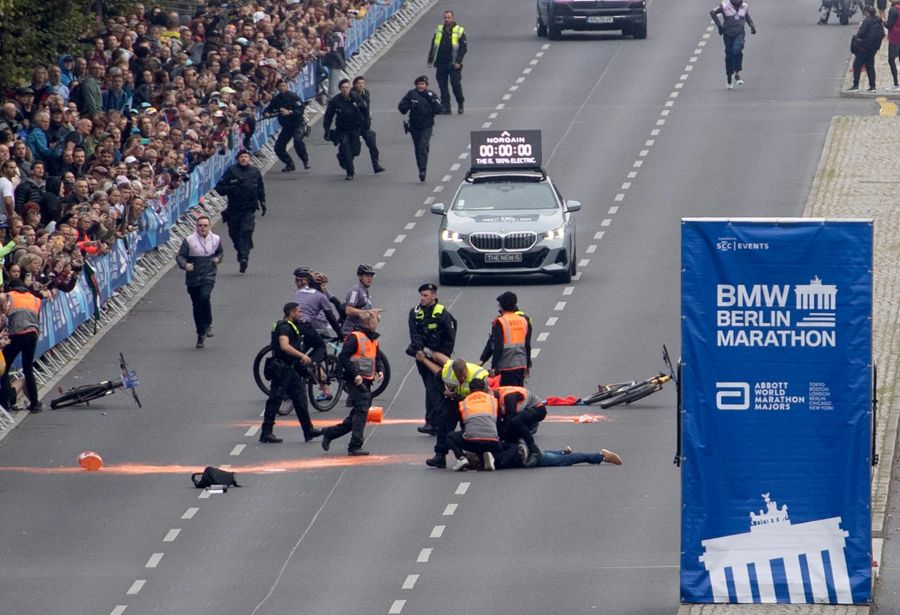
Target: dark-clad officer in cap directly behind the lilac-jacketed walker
[242, 183]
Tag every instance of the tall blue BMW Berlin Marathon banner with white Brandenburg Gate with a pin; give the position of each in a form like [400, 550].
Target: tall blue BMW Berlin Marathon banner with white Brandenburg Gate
[776, 411]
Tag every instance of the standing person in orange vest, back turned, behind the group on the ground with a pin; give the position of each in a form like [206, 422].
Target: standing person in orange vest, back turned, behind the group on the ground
[509, 346]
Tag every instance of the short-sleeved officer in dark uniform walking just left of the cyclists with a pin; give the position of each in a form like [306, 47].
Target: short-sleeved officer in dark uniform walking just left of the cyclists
[289, 336]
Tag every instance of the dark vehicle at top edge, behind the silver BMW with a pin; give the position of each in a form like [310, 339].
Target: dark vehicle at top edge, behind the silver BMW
[554, 16]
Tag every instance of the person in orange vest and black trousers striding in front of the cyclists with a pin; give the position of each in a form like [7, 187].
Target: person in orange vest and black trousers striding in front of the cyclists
[361, 364]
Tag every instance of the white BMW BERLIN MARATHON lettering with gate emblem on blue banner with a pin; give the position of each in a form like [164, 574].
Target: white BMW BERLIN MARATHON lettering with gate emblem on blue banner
[767, 315]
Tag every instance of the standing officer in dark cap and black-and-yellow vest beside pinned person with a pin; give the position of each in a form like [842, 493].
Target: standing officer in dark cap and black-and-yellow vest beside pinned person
[431, 326]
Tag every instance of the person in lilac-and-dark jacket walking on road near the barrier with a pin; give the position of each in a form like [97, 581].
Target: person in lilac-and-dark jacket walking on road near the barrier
[199, 255]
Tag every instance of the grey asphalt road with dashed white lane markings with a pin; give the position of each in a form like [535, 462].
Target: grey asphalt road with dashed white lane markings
[316, 533]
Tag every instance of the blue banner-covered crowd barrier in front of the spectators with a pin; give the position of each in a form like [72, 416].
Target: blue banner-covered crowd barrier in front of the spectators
[64, 314]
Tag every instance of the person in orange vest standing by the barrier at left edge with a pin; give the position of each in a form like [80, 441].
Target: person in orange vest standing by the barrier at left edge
[23, 312]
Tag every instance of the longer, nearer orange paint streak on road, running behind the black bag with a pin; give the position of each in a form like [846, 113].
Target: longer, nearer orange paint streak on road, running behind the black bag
[287, 465]
